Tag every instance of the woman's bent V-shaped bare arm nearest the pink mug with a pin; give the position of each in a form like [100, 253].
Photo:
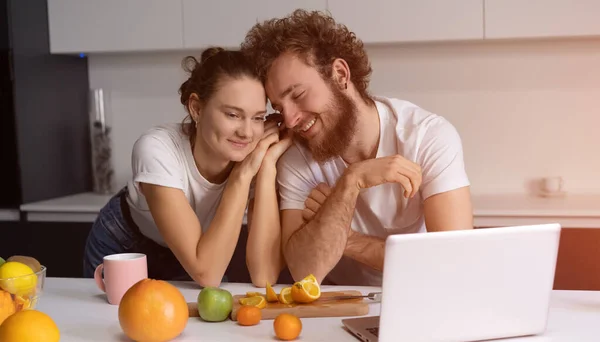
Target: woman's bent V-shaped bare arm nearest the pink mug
[205, 257]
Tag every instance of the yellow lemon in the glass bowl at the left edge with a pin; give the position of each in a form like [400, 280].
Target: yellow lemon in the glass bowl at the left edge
[23, 285]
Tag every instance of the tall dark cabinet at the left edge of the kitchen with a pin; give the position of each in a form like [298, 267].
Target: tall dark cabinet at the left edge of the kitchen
[43, 110]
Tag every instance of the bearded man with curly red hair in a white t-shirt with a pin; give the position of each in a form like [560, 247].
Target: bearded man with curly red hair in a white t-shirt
[393, 167]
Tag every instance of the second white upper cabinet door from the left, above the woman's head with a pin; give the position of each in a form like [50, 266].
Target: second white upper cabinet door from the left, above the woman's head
[225, 22]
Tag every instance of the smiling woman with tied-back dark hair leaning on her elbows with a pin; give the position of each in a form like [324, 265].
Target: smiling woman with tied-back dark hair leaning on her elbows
[192, 182]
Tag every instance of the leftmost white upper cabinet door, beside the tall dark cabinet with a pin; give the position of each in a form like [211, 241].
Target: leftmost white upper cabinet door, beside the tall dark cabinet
[114, 25]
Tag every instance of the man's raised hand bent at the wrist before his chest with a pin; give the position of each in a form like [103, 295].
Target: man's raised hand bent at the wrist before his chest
[391, 169]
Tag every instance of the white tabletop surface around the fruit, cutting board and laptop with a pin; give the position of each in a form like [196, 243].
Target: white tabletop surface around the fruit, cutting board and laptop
[82, 314]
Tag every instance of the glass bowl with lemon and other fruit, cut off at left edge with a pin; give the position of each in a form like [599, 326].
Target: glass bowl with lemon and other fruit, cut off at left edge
[19, 284]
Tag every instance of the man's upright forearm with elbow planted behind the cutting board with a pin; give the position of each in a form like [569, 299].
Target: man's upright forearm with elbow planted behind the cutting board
[317, 246]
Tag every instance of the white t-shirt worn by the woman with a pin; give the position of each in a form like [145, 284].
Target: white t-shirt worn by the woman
[163, 156]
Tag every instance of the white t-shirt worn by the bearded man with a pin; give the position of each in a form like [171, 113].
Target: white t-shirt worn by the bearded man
[405, 129]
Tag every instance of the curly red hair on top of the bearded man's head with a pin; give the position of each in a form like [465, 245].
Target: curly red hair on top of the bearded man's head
[316, 38]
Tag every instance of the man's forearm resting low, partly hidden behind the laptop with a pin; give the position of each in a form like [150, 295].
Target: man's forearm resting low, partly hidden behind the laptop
[367, 250]
